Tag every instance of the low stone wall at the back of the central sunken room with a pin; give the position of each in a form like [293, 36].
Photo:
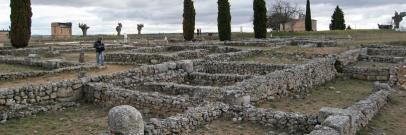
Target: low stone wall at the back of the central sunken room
[242, 68]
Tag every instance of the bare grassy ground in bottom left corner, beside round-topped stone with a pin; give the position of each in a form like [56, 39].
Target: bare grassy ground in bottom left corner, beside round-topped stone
[85, 120]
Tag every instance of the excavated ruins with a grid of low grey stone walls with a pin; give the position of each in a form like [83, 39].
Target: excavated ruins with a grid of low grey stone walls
[180, 87]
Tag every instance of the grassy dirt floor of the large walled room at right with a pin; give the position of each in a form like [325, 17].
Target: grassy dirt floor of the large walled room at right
[339, 94]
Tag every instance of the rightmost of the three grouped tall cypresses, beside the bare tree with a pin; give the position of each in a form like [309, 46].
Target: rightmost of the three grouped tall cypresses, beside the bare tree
[260, 18]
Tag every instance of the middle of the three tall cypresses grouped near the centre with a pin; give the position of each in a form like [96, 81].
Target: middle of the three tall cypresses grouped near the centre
[224, 20]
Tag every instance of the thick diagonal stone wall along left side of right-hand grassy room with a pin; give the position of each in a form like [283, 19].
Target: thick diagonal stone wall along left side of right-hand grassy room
[293, 81]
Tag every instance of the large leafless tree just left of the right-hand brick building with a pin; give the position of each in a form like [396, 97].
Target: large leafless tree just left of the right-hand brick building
[282, 12]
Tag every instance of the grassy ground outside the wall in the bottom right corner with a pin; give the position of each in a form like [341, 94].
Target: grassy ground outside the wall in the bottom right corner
[390, 119]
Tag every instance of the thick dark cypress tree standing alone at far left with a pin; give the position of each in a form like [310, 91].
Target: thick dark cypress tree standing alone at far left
[20, 30]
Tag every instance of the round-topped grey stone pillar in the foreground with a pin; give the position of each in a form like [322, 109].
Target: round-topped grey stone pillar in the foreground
[125, 120]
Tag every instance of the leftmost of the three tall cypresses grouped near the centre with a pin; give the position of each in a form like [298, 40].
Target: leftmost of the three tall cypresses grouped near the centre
[189, 14]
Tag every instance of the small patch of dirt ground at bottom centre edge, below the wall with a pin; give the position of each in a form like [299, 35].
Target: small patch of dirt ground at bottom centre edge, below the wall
[222, 127]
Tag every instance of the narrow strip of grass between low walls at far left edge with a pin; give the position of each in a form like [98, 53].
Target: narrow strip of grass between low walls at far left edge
[9, 68]
